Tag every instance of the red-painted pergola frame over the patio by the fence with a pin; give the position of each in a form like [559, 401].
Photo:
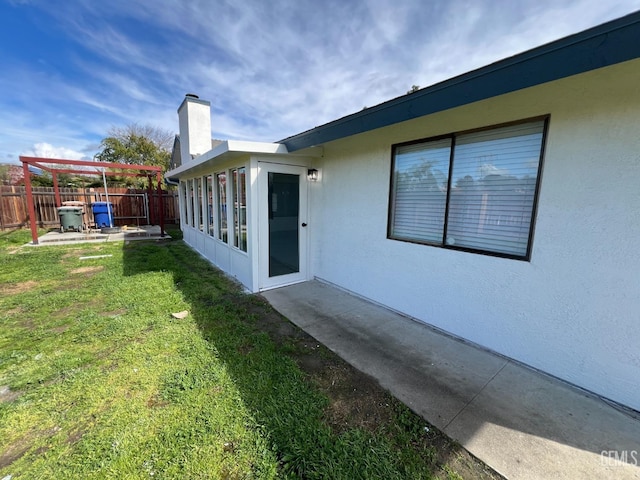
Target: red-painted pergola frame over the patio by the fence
[56, 166]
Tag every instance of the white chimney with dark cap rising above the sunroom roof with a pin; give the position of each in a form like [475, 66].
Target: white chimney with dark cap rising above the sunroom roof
[194, 116]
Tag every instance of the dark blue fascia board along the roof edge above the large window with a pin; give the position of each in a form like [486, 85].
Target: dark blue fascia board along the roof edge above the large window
[601, 46]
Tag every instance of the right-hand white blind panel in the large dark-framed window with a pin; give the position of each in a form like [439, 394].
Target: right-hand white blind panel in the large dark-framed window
[492, 194]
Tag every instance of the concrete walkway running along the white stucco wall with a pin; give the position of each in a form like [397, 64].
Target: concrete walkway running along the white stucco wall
[524, 424]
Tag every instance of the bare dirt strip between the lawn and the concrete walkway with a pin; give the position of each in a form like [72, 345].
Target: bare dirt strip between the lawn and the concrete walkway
[356, 400]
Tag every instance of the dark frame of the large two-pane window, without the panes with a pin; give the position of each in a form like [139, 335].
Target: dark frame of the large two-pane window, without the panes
[453, 136]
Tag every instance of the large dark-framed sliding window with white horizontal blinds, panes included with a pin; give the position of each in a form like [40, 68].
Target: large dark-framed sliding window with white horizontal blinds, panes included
[474, 191]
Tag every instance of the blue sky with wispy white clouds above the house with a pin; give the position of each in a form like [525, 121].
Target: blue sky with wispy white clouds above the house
[72, 69]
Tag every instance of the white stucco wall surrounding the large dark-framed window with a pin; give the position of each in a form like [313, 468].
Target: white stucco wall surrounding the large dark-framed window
[574, 309]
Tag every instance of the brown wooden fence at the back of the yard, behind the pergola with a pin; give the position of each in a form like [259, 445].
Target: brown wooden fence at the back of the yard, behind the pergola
[130, 207]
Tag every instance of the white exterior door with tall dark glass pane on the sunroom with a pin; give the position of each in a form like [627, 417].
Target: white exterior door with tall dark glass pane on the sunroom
[282, 213]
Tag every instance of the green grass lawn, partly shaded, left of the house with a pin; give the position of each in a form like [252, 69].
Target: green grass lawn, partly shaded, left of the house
[98, 380]
